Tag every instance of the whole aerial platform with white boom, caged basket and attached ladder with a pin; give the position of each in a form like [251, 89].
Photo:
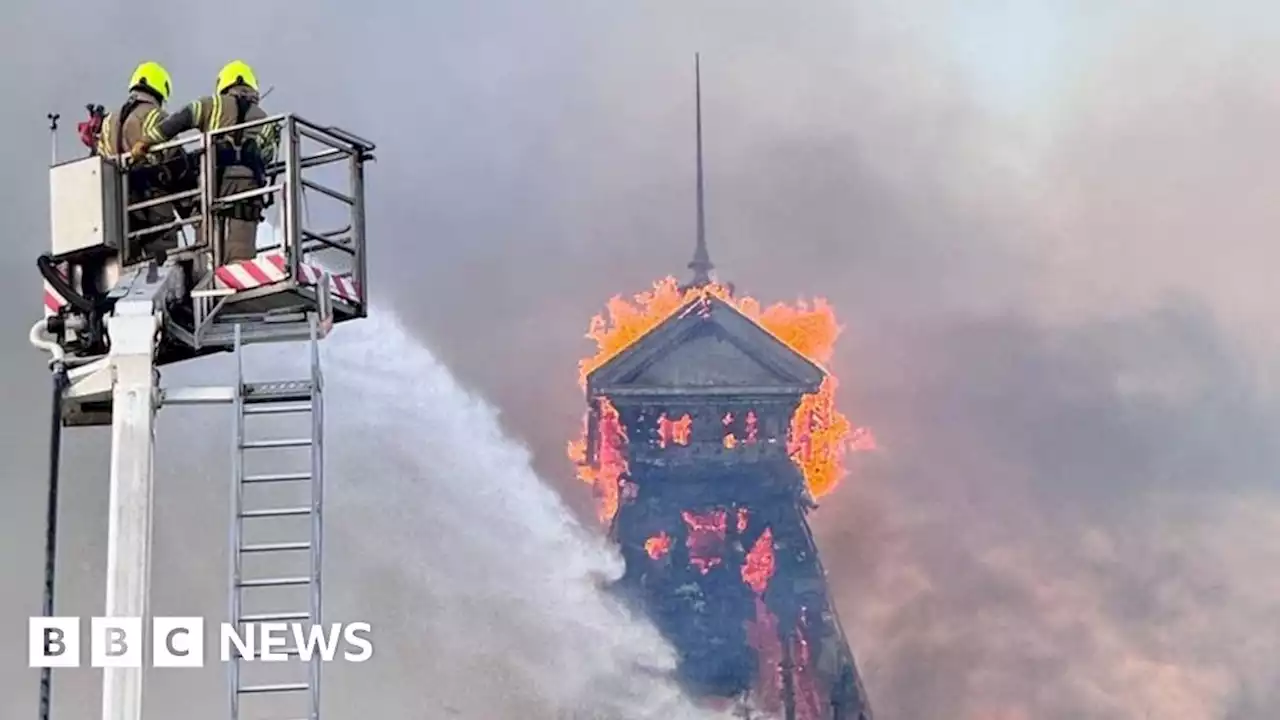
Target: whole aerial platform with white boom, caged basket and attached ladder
[118, 307]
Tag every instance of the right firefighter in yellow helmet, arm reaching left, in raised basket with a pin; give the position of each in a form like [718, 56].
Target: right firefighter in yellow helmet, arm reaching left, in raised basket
[241, 157]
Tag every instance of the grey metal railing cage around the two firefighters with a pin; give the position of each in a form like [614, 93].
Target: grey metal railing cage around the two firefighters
[290, 181]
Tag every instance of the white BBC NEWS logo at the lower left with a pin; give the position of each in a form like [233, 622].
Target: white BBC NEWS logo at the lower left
[180, 642]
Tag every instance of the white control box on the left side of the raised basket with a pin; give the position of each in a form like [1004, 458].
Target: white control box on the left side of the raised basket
[85, 206]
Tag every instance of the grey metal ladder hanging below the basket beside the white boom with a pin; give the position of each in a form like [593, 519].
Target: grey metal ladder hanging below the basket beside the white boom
[269, 531]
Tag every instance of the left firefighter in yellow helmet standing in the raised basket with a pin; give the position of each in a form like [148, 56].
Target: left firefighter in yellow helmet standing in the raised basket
[136, 121]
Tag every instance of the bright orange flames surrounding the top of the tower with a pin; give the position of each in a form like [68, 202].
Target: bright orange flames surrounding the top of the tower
[821, 435]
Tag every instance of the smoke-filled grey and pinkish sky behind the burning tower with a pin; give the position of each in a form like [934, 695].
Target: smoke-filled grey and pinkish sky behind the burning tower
[1048, 231]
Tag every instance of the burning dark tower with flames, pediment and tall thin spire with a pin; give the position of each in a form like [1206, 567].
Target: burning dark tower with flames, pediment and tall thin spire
[711, 431]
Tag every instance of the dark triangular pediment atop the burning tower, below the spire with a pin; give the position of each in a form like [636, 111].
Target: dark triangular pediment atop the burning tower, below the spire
[707, 348]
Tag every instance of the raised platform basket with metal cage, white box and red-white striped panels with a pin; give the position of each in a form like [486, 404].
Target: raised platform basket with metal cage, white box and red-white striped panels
[100, 240]
